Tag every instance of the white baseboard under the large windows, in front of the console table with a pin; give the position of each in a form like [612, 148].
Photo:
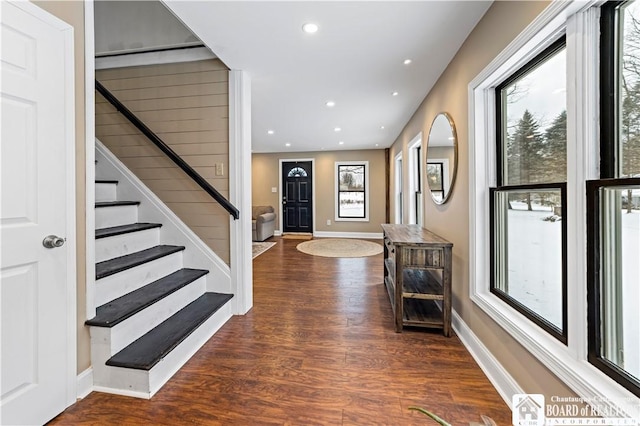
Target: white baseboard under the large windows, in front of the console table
[497, 375]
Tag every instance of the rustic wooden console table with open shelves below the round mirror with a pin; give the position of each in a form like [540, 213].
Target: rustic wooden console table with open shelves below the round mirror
[417, 275]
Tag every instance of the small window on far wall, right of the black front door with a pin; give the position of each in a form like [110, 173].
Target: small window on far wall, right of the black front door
[352, 191]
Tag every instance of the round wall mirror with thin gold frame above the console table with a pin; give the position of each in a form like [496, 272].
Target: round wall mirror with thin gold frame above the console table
[442, 157]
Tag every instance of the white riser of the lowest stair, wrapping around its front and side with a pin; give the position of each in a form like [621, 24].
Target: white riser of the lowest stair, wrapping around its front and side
[144, 384]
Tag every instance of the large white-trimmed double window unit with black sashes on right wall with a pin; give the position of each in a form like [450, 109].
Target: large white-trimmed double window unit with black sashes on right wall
[600, 130]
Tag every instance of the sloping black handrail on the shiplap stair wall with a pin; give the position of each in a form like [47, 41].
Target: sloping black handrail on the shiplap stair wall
[233, 211]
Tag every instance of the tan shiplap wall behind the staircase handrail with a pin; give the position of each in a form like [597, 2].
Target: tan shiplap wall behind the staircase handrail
[187, 106]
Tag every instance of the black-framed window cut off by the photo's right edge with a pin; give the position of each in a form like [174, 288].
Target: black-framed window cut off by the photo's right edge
[613, 202]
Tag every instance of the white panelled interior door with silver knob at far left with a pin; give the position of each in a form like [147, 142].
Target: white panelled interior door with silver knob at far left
[35, 282]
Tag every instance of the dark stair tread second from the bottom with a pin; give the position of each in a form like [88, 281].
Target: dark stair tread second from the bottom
[126, 306]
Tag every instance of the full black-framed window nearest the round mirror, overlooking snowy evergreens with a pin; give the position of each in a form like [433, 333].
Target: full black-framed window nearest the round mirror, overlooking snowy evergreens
[528, 235]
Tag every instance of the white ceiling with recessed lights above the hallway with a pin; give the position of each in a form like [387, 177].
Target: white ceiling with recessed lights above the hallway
[355, 59]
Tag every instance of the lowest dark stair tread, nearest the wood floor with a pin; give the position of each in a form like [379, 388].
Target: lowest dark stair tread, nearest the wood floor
[149, 349]
